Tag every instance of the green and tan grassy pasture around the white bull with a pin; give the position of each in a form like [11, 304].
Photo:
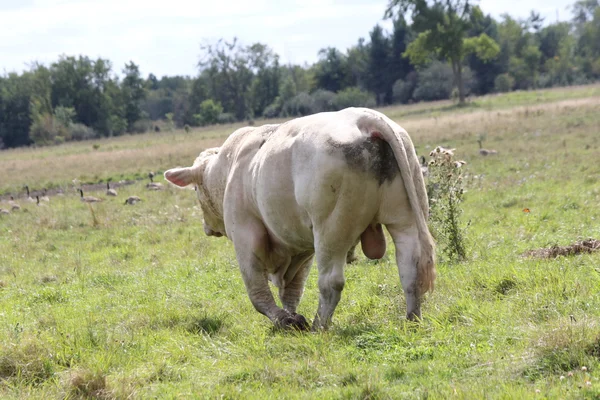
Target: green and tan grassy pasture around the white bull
[108, 300]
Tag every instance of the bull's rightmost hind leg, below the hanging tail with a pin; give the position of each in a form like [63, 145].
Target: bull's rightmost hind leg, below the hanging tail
[408, 249]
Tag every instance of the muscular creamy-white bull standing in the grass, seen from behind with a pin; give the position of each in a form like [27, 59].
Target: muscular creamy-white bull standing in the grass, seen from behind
[314, 186]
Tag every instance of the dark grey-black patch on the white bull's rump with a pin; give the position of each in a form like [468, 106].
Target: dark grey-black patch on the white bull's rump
[369, 155]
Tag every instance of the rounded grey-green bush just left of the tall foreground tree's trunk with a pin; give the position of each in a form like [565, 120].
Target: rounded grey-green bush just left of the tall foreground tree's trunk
[435, 83]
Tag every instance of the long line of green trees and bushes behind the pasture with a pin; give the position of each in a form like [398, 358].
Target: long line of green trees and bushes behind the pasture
[450, 49]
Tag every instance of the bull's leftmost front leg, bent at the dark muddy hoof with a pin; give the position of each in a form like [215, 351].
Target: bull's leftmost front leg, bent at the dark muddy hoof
[251, 247]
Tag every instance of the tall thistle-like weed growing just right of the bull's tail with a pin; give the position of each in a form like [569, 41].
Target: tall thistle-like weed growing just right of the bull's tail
[445, 189]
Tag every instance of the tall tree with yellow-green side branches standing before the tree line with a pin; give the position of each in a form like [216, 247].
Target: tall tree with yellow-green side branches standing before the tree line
[442, 27]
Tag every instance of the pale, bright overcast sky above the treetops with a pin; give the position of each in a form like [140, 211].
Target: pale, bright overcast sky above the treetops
[164, 37]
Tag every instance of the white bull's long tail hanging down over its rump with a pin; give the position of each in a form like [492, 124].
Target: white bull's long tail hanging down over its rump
[376, 125]
